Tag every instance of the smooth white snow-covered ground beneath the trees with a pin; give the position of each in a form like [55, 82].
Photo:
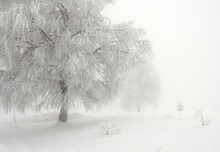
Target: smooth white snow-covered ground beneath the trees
[136, 132]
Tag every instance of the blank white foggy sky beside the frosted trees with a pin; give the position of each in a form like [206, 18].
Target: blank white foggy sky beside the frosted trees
[185, 35]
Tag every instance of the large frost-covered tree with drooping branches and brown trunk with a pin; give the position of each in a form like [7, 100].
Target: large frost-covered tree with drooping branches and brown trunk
[59, 54]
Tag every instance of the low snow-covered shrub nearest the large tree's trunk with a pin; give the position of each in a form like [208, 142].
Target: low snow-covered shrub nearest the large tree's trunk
[110, 129]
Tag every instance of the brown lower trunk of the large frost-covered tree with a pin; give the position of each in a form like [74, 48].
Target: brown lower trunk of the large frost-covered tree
[64, 108]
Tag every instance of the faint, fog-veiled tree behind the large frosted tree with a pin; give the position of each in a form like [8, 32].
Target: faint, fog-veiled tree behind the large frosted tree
[140, 88]
